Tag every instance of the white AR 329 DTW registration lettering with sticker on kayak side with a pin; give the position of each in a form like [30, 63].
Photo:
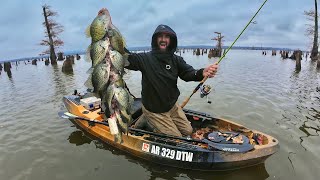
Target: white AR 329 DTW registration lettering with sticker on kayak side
[167, 152]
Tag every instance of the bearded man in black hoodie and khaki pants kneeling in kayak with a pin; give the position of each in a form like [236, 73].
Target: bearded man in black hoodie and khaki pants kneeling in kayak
[160, 70]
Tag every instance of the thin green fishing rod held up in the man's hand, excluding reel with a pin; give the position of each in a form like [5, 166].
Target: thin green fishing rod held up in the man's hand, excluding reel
[224, 54]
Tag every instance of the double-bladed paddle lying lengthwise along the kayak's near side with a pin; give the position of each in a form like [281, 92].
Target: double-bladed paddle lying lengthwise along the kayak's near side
[223, 147]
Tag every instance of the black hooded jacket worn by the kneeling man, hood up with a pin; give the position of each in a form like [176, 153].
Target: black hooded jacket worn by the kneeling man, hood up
[160, 72]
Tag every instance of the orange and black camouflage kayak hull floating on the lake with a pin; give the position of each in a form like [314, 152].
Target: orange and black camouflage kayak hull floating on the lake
[173, 152]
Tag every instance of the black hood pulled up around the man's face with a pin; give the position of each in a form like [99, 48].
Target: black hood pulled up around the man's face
[173, 38]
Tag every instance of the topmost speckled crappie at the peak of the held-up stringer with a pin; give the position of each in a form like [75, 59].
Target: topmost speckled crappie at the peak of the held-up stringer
[99, 26]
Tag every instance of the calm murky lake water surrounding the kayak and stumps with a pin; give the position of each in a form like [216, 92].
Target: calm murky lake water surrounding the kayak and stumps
[261, 92]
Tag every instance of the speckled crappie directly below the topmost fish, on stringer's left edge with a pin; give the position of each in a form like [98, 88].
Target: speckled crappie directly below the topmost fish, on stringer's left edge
[98, 51]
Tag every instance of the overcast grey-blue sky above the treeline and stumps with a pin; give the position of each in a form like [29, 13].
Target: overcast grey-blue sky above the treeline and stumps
[280, 23]
